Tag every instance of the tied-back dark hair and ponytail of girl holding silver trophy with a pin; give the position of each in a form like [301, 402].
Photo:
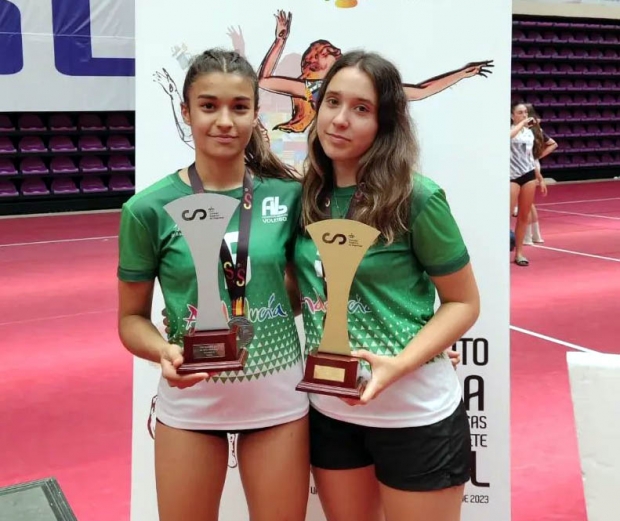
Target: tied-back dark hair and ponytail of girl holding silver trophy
[258, 155]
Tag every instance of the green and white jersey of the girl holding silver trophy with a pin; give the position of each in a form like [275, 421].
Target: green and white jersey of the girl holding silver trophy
[152, 247]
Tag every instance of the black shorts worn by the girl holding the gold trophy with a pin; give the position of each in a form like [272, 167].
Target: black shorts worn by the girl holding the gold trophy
[416, 459]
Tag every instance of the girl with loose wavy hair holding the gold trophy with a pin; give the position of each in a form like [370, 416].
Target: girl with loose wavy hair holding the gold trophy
[402, 452]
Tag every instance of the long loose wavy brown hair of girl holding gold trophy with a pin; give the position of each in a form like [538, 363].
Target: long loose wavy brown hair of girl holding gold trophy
[385, 175]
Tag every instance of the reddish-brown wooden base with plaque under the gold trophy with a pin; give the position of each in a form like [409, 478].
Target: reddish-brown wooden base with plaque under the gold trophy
[333, 375]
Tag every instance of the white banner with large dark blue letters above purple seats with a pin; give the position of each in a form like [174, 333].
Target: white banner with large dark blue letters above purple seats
[67, 55]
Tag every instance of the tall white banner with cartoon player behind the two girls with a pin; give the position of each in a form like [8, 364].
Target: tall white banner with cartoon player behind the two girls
[443, 49]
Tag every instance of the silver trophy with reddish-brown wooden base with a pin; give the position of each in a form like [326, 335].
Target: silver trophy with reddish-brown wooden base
[213, 345]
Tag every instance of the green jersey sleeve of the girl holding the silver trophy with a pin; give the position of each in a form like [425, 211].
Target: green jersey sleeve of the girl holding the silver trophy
[137, 255]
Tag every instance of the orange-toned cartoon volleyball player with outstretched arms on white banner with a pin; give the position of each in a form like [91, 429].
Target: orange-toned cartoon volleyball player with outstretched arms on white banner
[316, 62]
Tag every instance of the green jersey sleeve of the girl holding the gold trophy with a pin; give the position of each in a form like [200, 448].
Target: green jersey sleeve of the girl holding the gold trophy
[436, 238]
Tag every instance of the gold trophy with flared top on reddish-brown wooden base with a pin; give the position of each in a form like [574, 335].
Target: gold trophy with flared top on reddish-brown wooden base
[342, 243]
